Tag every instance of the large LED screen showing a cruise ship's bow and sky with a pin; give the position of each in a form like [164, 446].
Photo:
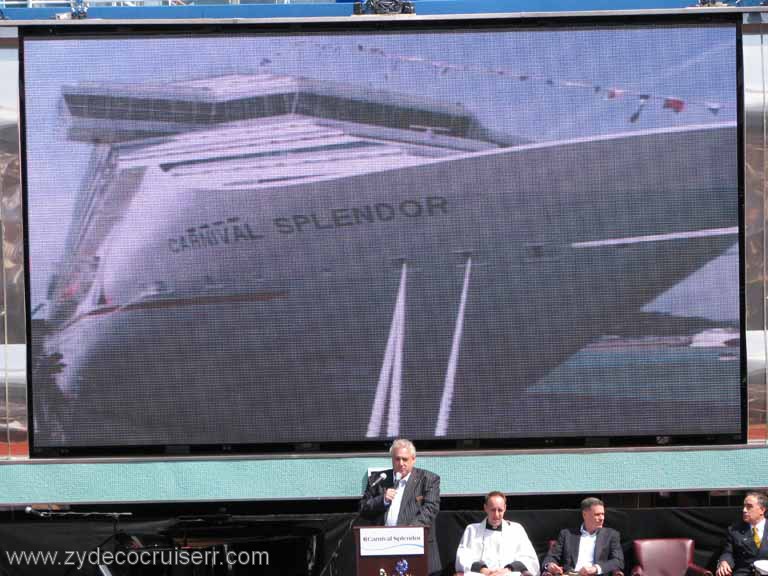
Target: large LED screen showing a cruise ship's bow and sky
[325, 237]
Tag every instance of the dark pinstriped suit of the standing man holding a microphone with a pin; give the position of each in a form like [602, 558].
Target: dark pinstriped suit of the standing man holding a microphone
[419, 506]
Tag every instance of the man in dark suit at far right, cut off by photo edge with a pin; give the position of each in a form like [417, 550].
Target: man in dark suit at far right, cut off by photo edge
[746, 540]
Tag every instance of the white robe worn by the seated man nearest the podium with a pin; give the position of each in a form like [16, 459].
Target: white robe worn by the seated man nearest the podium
[496, 548]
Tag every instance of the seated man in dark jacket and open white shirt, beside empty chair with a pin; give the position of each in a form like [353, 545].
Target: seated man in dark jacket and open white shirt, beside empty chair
[588, 550]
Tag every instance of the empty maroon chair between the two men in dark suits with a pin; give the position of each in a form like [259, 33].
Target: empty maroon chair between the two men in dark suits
[666, 557]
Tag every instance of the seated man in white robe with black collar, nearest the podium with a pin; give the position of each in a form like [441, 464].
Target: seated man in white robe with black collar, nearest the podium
[496, 546]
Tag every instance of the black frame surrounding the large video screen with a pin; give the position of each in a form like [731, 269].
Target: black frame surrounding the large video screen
[383, 24]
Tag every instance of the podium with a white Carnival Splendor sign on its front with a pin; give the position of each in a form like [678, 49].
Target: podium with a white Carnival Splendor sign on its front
[391, 550]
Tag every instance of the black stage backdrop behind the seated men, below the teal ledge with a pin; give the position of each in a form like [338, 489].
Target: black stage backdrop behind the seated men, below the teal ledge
[300, 545]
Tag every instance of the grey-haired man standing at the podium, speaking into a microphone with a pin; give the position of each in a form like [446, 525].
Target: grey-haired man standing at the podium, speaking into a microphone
[404, 496]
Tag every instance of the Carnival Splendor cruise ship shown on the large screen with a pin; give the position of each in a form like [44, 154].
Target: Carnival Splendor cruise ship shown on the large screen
[266, 250]
